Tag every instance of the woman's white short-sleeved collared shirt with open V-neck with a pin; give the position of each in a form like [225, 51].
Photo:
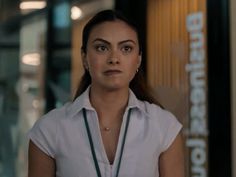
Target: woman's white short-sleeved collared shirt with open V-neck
[62, 135]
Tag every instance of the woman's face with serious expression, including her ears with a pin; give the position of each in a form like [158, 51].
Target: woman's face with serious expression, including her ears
[112, 56]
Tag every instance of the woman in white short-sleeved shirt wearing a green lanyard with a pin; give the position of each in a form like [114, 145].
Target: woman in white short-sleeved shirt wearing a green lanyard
[113, 127]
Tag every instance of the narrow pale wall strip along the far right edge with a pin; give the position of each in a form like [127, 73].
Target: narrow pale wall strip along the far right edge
[233, 81]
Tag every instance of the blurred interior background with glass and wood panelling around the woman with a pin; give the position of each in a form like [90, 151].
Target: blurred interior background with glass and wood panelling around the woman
[189, 59]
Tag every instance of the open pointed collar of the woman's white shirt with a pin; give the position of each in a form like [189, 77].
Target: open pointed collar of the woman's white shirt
[83, 102]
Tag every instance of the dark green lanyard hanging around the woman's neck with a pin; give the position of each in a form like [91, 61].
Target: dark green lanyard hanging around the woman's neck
[92, 146]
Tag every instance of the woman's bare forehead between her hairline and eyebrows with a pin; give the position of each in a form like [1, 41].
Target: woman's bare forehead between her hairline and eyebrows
[112, 30]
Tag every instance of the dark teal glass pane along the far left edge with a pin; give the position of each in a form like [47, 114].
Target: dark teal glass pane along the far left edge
[9, 102]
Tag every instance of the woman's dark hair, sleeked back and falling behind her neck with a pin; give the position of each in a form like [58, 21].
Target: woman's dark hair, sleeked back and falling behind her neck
[138, 84]
